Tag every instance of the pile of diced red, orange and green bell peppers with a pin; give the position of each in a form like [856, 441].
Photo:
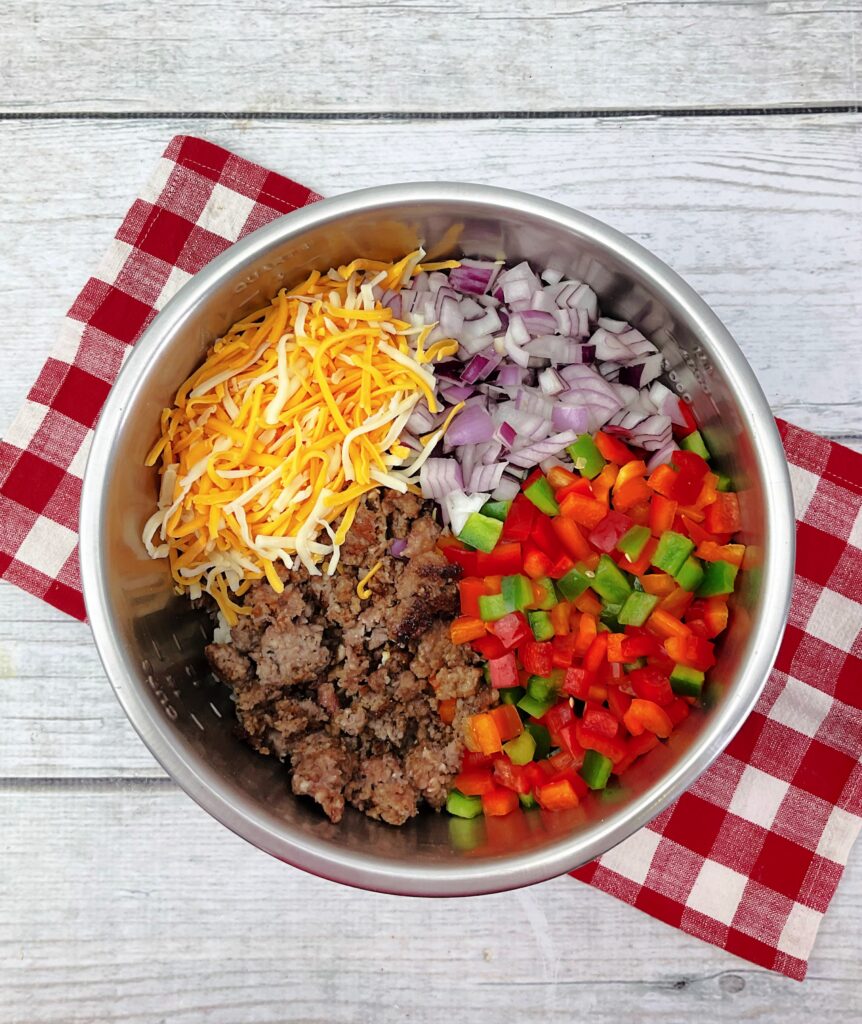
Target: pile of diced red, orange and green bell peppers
[595, 598]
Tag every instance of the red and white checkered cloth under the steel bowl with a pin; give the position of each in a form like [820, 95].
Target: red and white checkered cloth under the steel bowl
[748, 860]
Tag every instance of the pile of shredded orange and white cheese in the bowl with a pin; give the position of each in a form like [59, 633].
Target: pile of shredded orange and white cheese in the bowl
[294, 415]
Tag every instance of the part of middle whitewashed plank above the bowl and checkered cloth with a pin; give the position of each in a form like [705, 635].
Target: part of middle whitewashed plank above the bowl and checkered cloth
[762, 216]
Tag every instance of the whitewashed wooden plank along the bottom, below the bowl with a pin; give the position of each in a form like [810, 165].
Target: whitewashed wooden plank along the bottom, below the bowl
[135, 906]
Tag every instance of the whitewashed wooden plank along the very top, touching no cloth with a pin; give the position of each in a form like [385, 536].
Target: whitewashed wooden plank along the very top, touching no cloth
[412, 56]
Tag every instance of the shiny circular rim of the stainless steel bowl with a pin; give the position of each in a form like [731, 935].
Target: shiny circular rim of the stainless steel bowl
[364, 870]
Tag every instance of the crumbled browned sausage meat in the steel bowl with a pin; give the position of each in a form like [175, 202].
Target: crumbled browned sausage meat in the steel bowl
[346, 690]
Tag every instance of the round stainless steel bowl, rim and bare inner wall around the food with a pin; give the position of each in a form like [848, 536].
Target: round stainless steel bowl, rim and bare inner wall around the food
[152, 643]
